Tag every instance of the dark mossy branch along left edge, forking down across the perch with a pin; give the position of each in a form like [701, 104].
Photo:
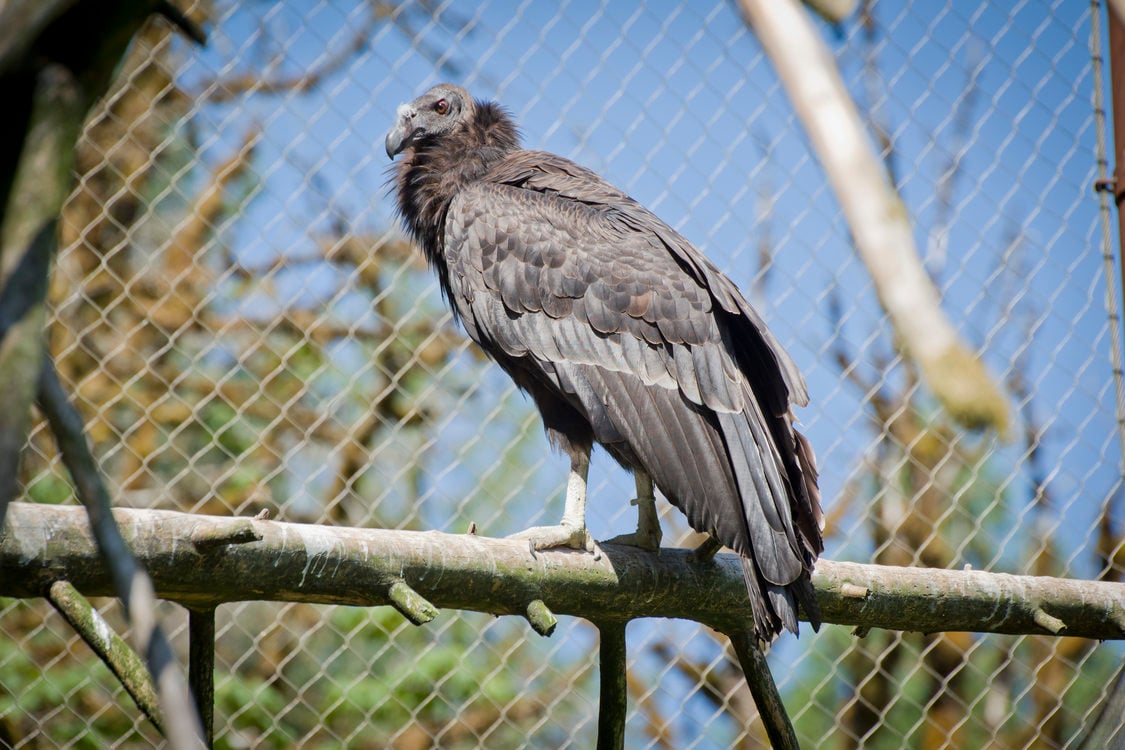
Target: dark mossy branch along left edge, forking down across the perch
[55, 65]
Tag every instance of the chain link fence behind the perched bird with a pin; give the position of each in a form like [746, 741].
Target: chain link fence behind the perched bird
[245, 328]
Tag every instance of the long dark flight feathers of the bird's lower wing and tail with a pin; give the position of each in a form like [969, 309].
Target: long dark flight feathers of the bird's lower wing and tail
[748, 480]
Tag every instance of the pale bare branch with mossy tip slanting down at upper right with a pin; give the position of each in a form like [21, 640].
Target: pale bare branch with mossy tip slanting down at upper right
[877, 216]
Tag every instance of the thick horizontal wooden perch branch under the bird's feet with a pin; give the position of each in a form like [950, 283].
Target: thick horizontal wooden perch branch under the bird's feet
[301, 563]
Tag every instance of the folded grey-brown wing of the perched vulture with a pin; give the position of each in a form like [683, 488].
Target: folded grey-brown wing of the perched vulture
[555, 270]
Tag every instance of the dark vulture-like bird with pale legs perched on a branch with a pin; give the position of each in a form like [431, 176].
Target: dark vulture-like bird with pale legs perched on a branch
[625, 336]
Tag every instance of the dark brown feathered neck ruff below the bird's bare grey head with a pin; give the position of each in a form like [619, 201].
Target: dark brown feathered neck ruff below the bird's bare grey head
[435, 169]
